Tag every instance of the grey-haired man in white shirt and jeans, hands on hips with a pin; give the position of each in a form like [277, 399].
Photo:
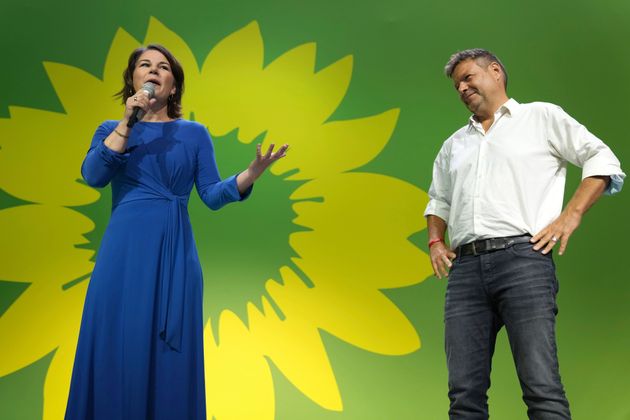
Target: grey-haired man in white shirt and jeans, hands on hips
[498, 186]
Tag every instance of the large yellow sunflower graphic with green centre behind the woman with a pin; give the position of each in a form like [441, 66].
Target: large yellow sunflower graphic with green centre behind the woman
[343, 234]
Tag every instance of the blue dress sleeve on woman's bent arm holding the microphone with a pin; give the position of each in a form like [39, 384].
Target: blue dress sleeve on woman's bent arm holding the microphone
[101, 163]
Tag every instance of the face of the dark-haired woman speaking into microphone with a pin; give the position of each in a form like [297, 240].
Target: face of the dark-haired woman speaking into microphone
[153, 67]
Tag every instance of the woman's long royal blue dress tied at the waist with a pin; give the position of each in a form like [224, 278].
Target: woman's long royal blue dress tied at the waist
[140, 348]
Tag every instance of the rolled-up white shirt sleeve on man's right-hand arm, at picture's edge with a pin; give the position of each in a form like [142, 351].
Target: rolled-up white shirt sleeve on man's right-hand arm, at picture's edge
[572, 142]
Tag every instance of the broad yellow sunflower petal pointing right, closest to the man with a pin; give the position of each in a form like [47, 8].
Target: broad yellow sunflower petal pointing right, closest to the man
[367, 249]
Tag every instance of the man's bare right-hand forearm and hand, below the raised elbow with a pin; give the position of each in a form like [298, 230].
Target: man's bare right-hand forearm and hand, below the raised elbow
[588, 192]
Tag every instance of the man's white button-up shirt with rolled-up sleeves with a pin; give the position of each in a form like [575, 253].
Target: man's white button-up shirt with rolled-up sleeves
[510, 180]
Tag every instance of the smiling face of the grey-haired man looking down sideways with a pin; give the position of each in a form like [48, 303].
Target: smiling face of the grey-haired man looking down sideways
[478, 84]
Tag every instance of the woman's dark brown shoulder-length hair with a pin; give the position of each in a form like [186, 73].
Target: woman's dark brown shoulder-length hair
[174, 109]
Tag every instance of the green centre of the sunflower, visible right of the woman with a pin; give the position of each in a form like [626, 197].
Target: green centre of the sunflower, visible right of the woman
[244, 244]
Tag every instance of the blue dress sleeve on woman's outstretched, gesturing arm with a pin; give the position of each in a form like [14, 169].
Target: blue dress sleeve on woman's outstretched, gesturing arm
[214, 192]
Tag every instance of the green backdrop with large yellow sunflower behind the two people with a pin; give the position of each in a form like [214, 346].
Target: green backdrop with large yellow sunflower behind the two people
[343, 213]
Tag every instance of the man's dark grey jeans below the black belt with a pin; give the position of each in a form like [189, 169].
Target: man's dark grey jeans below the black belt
[515, 287]
